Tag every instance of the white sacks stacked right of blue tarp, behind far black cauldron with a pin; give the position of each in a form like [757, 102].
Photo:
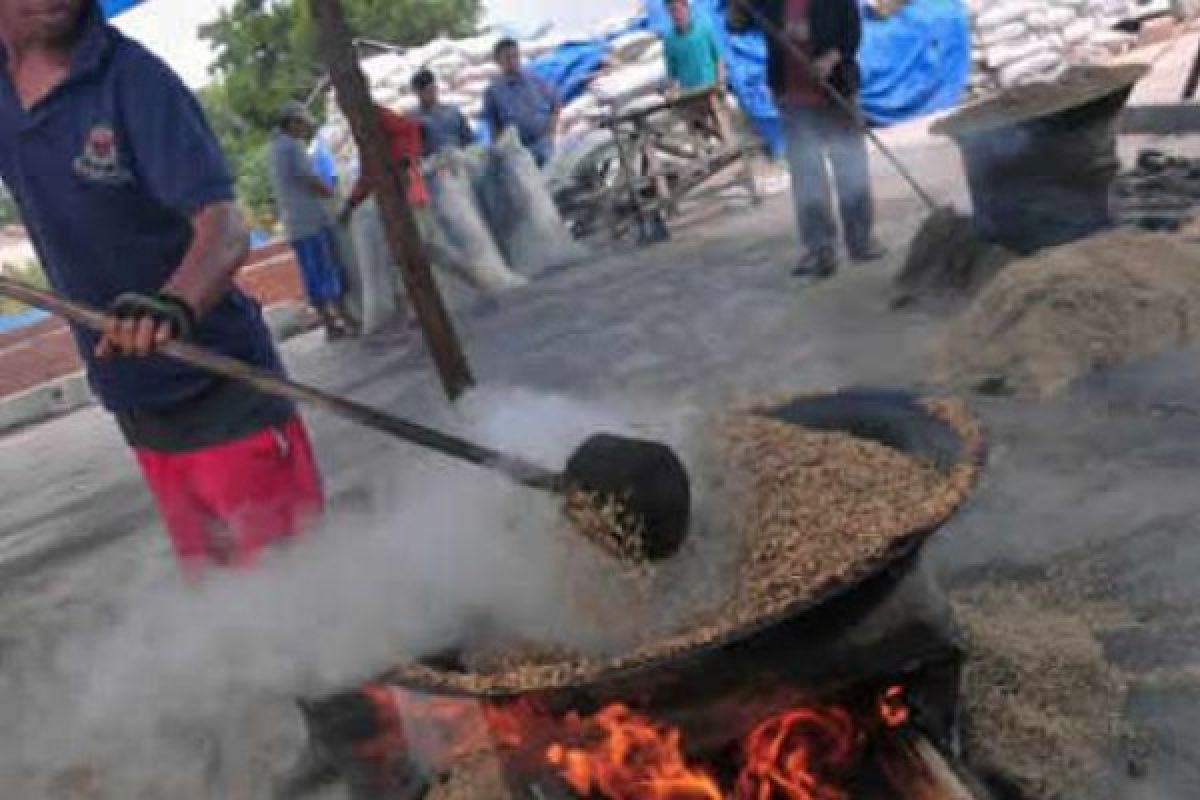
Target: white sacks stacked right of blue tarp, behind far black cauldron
[1018, 43]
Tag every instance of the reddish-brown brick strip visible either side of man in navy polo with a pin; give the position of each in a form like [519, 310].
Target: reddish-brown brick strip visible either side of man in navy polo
[44, 352]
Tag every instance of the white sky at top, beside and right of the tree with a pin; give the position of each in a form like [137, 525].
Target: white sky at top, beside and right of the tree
[169, 27]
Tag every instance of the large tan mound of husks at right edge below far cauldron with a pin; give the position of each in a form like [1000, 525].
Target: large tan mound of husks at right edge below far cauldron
[1065, 312]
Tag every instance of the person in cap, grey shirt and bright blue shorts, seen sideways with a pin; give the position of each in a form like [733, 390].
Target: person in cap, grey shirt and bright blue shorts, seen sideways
[301, 197]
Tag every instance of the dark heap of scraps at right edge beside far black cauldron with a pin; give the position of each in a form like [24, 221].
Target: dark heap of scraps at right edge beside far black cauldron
[1161, 194]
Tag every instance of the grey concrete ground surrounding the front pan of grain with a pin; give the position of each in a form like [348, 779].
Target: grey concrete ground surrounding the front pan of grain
[1101, 479]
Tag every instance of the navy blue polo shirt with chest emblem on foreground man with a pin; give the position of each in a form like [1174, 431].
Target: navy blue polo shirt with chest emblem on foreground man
[109, 171]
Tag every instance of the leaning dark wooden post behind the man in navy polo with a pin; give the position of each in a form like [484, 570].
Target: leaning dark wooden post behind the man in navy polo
[389, 185]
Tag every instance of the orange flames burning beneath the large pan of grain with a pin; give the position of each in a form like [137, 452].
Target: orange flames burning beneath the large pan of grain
[617, 754]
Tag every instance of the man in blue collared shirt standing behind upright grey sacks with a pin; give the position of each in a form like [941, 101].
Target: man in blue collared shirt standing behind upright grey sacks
[520, 100]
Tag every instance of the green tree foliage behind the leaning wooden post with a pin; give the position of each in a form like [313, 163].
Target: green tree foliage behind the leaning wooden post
[267, 56]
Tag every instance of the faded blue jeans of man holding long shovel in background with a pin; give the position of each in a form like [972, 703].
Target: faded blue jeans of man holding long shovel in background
[817, 135]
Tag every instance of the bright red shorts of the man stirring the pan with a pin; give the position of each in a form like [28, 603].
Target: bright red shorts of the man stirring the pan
[226, 504]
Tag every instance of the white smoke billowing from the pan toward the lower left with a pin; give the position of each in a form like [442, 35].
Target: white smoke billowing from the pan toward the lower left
[191, 685]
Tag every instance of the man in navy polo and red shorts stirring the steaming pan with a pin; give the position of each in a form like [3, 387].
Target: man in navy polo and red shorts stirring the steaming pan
[130, 207]
